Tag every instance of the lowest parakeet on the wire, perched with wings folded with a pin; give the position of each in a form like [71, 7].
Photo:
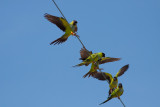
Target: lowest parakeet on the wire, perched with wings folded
[116, 93]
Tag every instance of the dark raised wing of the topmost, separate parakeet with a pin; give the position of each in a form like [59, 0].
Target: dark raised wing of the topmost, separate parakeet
[58, 21]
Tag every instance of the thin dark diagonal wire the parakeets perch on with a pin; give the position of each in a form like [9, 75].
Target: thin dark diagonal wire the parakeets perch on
[82, 43]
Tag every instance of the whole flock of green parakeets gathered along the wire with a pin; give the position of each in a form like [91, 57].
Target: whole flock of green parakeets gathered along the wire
[87, 57]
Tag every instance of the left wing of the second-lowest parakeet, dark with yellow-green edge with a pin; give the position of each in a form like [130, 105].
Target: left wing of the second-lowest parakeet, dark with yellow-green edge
[103, 76]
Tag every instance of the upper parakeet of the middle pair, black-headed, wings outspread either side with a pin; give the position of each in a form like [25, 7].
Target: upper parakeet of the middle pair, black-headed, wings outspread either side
[88, 57]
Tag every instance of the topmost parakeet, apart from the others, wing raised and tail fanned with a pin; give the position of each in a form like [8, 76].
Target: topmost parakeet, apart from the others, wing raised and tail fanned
[69, 29]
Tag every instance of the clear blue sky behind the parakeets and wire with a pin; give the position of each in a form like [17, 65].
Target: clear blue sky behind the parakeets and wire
[35, 74]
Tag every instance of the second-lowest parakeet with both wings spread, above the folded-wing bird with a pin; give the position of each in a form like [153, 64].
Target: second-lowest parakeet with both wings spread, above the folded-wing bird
[113, 81]
